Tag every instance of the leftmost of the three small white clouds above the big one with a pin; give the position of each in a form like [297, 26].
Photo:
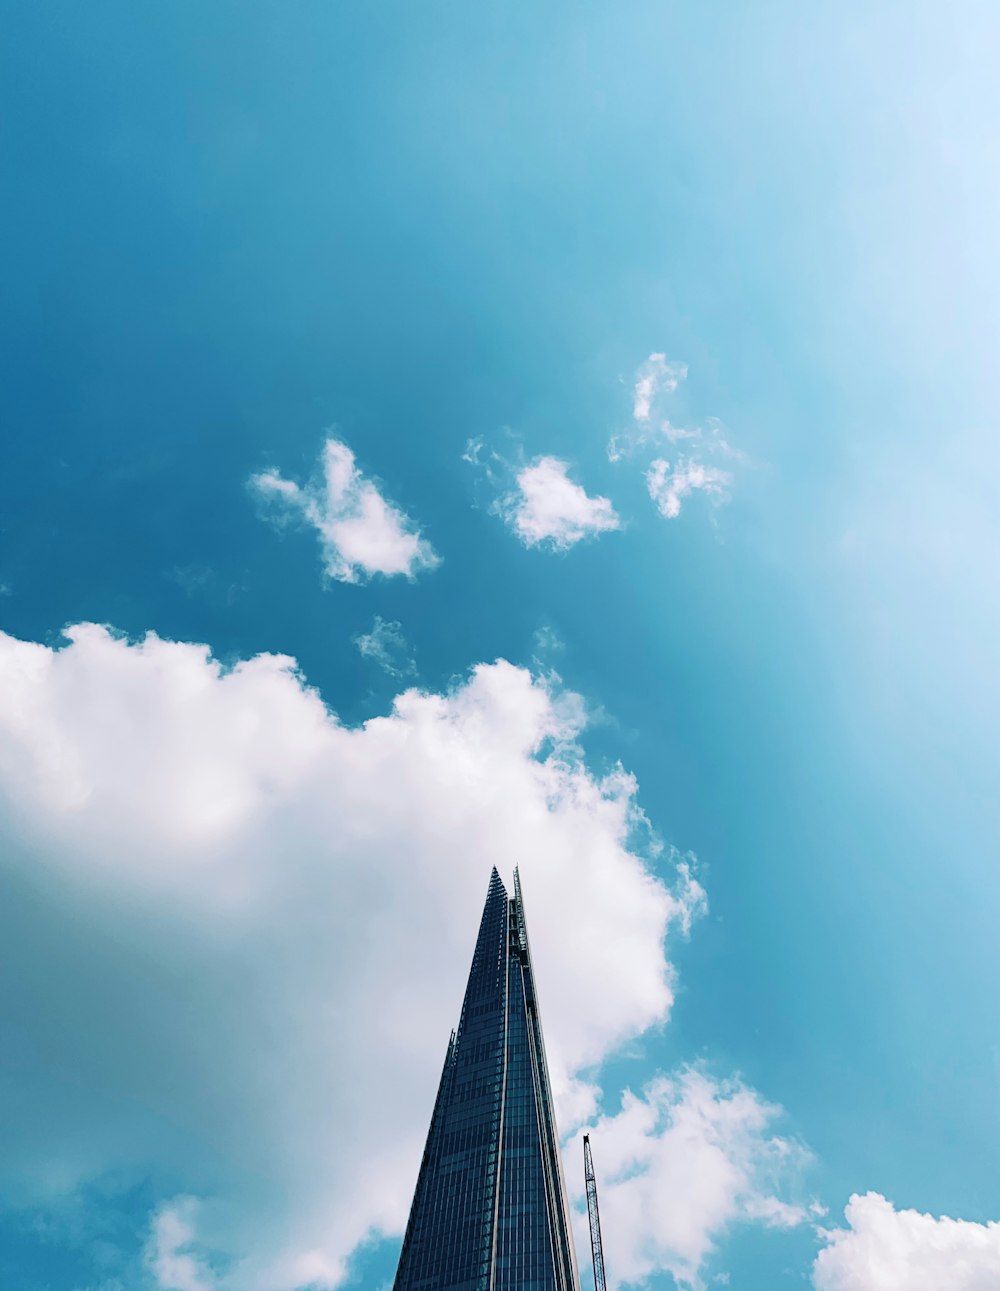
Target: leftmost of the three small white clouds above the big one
[361, 533]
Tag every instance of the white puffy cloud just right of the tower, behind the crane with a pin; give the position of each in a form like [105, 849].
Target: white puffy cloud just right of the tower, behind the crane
[679, 1165]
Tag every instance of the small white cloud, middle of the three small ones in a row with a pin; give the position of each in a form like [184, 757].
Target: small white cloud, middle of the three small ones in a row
[548, 508]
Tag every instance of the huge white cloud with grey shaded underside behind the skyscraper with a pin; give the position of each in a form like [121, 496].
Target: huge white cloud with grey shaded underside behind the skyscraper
[237, 934]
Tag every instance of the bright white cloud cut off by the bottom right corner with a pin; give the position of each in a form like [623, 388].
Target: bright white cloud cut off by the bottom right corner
[888, 1250]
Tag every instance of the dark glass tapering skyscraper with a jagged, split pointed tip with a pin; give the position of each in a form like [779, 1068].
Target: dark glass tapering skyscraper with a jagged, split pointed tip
[490, 1213]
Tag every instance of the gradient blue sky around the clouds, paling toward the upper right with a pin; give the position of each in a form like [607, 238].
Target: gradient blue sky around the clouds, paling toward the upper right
[233, 230]
